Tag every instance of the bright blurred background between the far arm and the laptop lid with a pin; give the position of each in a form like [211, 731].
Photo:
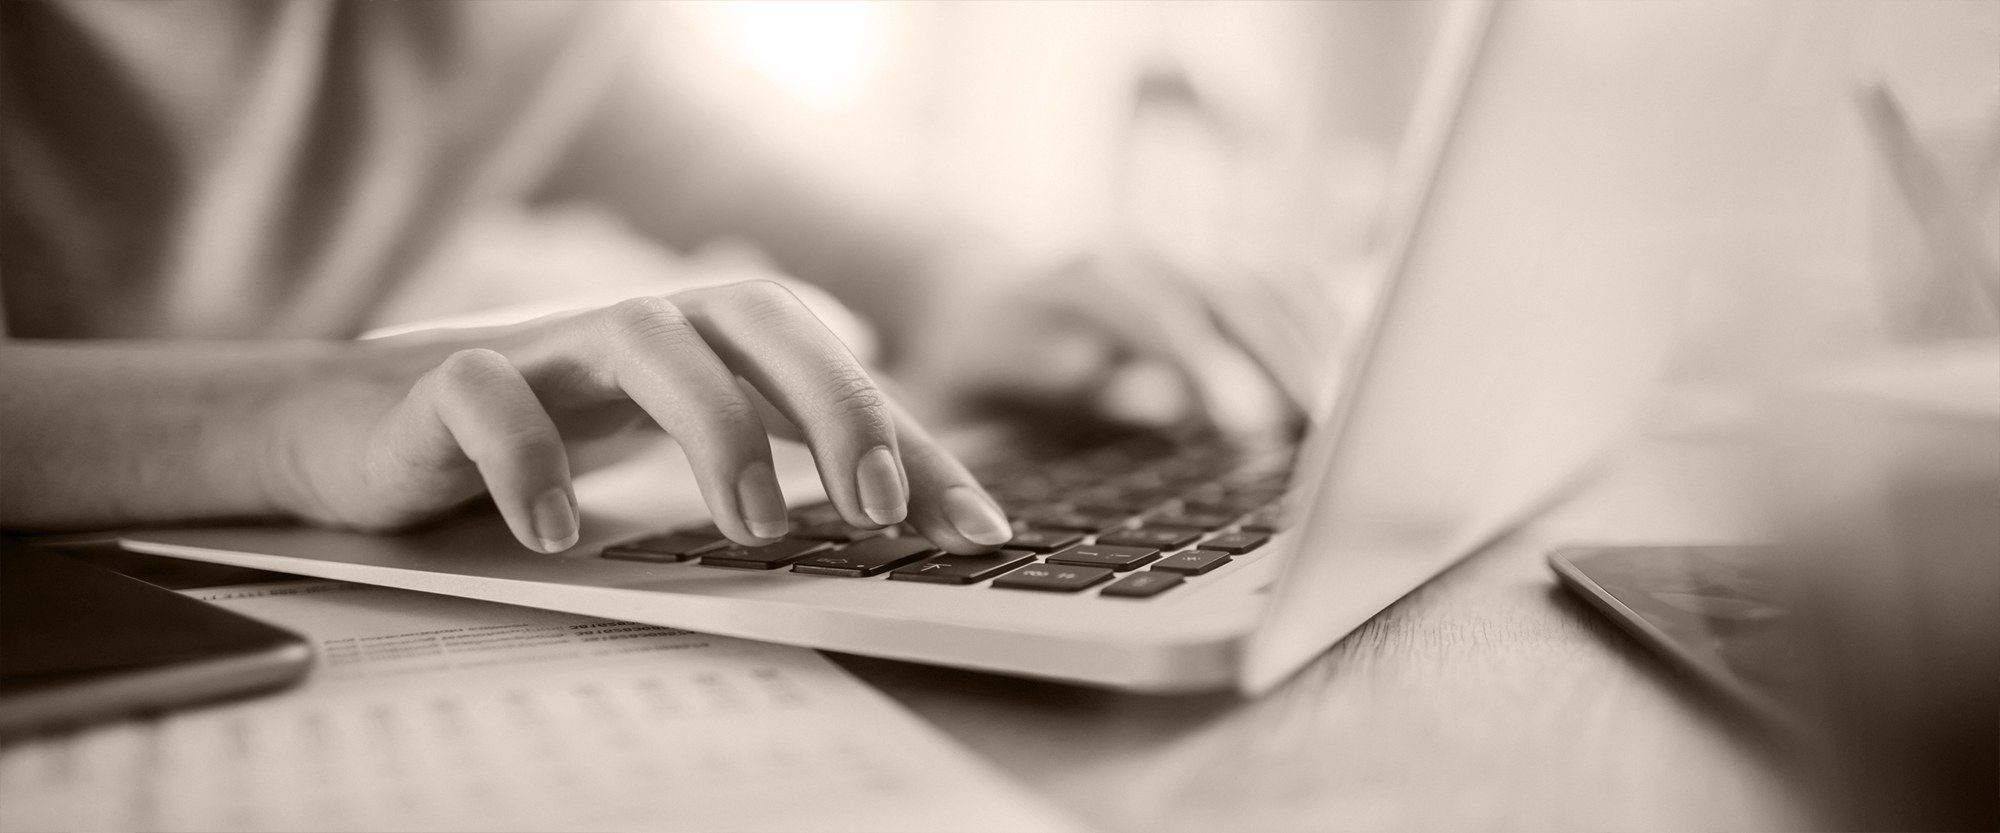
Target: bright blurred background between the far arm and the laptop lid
[1195, 125]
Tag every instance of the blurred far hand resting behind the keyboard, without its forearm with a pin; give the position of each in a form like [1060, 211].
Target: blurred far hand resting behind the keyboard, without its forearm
[1135, 339]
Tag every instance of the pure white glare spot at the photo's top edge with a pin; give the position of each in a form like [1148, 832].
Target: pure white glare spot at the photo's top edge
[821, 51]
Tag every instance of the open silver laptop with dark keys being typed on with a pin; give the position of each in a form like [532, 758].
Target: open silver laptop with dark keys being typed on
[1503, 357]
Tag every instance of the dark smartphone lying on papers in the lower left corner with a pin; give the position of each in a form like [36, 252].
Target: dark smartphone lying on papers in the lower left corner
[83, 644]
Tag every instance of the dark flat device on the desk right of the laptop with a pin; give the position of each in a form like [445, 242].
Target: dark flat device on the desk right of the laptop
[1717, 612]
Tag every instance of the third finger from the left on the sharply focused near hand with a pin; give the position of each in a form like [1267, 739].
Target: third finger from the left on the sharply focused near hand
[771, 339]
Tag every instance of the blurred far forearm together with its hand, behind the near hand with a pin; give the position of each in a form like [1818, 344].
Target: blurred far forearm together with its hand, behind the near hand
[963, 319]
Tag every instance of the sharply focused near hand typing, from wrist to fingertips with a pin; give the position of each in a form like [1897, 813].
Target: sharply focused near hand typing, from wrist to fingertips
[415, 426]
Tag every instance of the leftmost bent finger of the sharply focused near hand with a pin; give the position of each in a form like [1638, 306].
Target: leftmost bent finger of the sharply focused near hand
[477, 407]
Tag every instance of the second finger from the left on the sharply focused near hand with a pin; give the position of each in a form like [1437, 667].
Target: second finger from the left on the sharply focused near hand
[651, 353]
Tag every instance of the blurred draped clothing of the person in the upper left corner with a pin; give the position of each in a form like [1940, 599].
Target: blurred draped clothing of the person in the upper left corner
[269, 169]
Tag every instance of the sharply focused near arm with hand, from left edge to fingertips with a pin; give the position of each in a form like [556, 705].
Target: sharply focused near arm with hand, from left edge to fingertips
[385, 434]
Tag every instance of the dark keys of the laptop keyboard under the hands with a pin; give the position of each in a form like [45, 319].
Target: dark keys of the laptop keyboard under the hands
[1133, 520]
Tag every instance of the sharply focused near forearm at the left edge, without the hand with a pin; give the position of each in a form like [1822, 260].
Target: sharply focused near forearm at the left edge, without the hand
[115, 434]
